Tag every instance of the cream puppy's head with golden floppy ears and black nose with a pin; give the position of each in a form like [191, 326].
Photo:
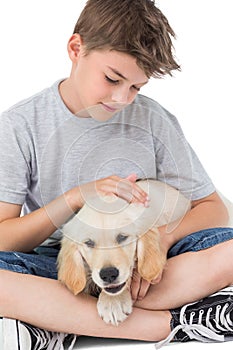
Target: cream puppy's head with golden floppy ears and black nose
[105, 245]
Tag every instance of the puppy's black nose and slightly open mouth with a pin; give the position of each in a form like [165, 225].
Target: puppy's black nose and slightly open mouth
[109, 276]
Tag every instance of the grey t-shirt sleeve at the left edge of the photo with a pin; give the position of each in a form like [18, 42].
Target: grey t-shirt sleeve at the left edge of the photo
[14, 159]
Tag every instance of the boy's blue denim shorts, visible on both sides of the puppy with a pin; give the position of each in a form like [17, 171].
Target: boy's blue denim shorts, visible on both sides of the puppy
[42, 261]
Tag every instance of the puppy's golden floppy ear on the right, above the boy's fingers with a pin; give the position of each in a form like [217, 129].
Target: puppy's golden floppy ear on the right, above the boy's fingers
[151, 260]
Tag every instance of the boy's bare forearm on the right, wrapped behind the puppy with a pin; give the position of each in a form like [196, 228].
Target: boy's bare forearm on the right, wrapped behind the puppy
[205, 213]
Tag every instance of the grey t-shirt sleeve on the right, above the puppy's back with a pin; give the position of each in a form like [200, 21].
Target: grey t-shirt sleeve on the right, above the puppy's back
[177, 163]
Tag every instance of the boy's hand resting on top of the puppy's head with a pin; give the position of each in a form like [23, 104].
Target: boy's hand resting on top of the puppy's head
[125, 188]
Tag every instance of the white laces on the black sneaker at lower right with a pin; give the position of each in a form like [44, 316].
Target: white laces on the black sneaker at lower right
[197, 331]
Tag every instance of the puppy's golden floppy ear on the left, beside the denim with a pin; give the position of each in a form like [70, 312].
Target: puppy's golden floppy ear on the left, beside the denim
[71, 269]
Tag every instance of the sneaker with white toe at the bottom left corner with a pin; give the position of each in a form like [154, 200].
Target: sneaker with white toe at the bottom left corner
[17, 335]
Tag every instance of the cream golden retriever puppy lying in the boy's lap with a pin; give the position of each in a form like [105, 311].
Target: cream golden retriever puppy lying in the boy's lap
[108, 238]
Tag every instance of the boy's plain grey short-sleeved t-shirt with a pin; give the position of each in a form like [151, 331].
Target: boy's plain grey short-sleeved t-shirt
[46, 150]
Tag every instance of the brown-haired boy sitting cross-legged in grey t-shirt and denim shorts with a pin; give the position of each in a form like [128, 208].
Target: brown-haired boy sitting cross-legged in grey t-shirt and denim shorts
[90, 134]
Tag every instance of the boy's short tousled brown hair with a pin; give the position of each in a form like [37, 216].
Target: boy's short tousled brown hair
[136, 27]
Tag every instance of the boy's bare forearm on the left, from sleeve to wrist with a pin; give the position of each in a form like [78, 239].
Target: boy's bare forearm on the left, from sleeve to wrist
[27, 232]
